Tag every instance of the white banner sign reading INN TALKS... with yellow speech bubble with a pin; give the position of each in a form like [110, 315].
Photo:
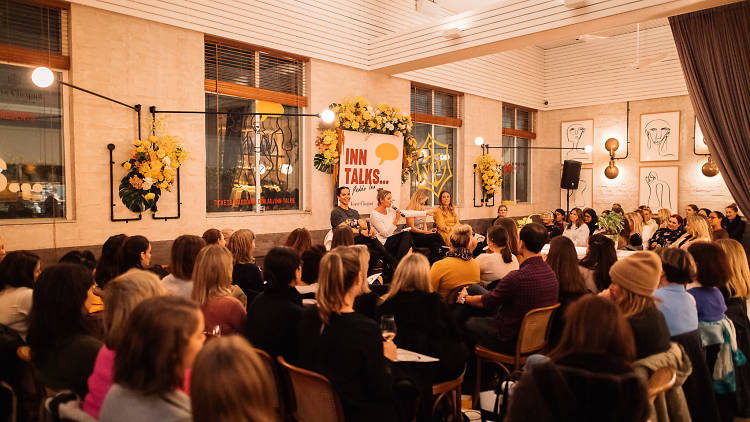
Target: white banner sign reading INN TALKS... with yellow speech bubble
[370, 161]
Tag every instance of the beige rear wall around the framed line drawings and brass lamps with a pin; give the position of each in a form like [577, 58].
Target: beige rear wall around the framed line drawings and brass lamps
[610, 121]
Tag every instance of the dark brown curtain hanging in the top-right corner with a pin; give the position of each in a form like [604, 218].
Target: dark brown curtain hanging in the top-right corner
[714, 50]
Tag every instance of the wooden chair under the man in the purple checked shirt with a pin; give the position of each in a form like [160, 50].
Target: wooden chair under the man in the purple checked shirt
[532, 338]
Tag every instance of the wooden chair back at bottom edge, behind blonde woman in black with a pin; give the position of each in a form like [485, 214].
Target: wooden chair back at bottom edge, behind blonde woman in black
[312, 394]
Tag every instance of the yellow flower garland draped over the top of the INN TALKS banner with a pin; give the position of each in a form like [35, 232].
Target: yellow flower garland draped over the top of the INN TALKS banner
[361, 116]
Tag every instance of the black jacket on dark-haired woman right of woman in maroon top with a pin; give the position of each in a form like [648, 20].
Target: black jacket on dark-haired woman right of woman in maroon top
[272, 320]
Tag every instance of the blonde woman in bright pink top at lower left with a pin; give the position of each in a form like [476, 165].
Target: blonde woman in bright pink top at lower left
[121, 296]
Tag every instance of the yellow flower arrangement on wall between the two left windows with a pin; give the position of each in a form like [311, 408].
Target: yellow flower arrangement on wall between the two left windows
[152, 166]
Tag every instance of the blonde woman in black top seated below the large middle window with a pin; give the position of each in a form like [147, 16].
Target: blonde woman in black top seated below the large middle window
[244, 272]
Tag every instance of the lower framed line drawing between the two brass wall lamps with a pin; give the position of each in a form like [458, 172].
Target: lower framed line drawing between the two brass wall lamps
[658, 187]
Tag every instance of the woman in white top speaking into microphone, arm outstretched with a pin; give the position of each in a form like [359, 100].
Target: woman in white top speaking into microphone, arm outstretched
[384, 219]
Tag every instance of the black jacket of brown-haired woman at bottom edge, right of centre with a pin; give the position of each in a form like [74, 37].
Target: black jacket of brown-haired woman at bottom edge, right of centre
[607, 390]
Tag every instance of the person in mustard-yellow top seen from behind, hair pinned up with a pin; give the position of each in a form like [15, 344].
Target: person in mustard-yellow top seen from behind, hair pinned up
[458, 268]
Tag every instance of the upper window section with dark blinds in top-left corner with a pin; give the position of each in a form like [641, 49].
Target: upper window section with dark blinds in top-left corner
[34, 34]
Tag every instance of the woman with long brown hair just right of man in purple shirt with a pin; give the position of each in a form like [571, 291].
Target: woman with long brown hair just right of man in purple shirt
[563, 260]
